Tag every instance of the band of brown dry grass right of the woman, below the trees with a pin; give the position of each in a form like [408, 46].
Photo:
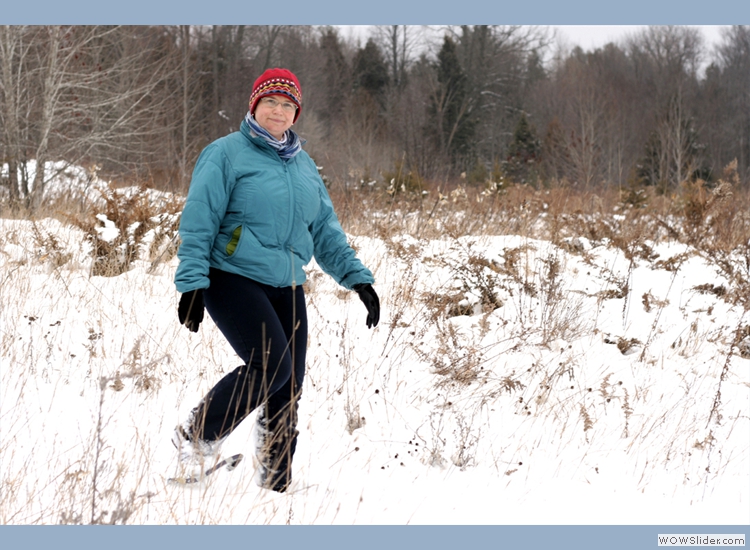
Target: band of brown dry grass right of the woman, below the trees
[713, 218]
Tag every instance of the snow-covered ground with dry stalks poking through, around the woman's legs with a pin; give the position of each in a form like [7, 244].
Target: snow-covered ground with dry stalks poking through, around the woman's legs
[510, 381]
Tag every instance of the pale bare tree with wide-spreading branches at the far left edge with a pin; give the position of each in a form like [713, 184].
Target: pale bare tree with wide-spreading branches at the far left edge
[73, 94]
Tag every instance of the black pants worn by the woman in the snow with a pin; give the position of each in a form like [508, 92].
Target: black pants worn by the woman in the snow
[267, 327]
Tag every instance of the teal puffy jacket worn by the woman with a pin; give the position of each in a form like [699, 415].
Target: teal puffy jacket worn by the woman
[250, 212]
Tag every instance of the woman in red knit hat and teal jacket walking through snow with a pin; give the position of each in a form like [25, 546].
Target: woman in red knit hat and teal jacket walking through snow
[256, 213]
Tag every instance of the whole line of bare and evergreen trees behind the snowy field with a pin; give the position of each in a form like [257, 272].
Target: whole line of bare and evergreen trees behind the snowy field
[401, 106]
